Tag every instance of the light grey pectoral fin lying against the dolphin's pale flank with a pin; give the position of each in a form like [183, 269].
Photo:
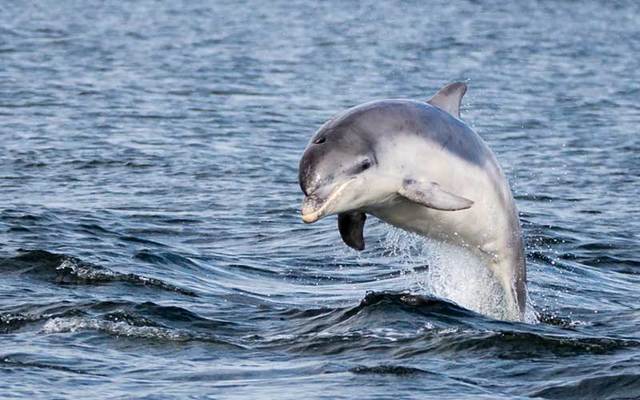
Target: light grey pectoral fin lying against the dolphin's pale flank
[430, 194]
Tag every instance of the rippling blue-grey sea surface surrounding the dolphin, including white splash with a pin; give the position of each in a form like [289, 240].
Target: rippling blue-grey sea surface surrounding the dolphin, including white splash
[151, 244]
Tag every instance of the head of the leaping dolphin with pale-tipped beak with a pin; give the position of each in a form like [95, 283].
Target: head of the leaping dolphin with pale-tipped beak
[337, 167]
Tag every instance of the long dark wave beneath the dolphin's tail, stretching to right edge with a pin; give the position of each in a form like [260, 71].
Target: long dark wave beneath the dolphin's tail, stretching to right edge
[407, 325]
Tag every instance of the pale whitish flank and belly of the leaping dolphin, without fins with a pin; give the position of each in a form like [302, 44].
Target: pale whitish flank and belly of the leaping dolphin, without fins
[489, 229]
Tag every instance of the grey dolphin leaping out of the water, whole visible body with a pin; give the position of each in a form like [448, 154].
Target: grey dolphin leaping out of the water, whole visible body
[417, 166]
